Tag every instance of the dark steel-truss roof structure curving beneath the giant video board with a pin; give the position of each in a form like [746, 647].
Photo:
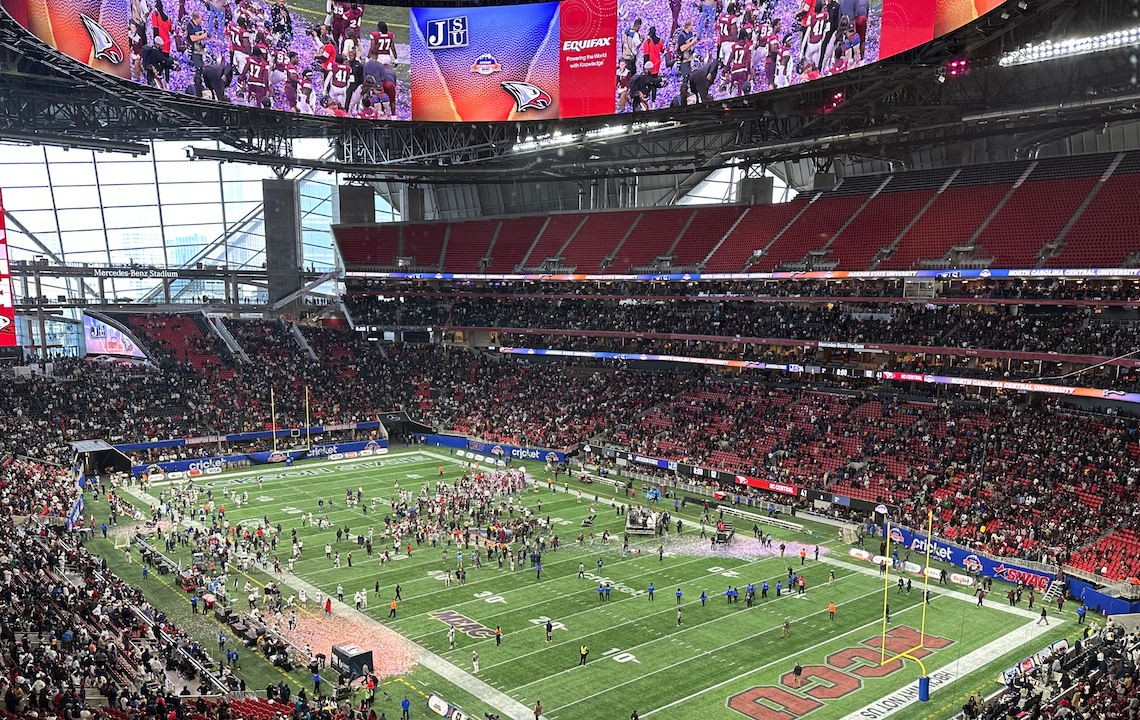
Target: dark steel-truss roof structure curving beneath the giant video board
[894, 114]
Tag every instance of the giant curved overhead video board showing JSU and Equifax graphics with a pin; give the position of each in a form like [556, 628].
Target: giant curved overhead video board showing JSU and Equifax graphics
[508, 63]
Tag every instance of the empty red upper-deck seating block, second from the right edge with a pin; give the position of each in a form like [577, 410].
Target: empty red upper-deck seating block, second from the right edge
[1035, 216]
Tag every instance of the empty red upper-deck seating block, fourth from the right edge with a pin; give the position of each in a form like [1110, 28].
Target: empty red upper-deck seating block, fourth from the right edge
[876, 228]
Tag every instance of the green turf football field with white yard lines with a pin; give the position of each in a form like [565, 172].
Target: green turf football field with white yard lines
[726, 661]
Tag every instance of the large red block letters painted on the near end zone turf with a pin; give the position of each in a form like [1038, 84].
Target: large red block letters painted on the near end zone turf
[843, 673]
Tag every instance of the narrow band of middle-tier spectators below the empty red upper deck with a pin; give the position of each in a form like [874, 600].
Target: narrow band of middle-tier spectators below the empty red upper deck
[999, 328]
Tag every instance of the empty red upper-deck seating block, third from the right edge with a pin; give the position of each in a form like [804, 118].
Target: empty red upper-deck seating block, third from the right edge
[950, 222]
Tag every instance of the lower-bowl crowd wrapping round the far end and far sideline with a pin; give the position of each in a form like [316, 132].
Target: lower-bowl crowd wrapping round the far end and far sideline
[1011, 478]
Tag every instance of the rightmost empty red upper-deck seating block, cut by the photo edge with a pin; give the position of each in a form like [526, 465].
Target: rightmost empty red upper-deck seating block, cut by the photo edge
[1106, 233]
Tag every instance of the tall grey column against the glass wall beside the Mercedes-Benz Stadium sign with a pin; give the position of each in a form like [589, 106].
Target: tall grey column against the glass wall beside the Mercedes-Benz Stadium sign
[282, 202]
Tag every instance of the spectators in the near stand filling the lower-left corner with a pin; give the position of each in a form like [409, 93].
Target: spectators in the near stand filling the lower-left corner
[70, 628]
